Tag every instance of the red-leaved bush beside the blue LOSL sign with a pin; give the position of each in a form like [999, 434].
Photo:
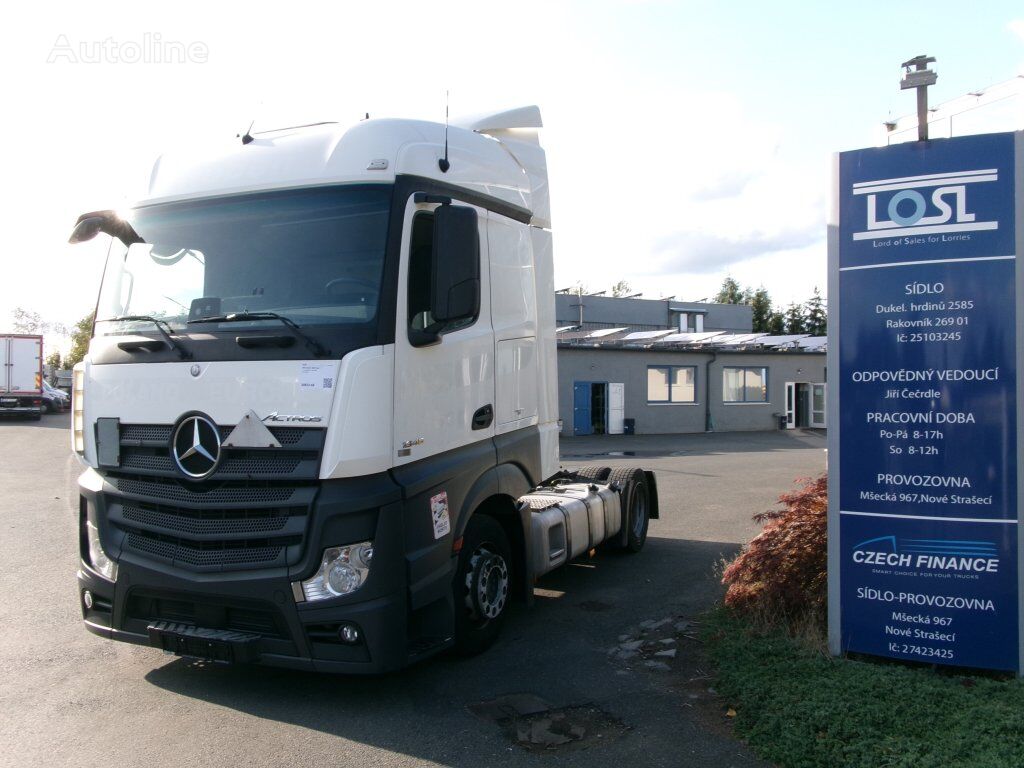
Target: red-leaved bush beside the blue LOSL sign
[782, 574]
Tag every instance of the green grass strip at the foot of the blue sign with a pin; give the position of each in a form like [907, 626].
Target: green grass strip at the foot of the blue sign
[798, 708]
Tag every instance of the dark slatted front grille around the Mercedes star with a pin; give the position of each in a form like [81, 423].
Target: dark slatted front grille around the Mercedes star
[251, 514]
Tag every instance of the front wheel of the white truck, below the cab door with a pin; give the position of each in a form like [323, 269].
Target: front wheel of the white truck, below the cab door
[483, 585]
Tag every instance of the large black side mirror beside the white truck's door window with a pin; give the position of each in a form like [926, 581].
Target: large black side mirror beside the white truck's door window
[455, 282]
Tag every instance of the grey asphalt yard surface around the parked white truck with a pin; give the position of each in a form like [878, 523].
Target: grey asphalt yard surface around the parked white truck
[585, 677]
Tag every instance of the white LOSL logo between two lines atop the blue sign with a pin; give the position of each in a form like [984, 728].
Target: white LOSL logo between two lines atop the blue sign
[932, 204]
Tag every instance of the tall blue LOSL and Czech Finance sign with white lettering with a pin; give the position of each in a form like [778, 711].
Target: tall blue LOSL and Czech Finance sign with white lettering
[927, 386]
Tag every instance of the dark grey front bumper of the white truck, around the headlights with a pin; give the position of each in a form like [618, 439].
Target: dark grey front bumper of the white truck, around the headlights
[291, 634]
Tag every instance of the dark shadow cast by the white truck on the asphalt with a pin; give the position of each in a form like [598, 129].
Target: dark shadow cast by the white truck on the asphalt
[558, 651]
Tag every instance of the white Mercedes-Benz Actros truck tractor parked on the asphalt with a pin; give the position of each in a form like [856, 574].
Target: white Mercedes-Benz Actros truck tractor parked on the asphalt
[319, 414]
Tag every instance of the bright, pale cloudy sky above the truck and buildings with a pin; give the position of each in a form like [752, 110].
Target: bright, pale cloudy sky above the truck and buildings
[687, 142]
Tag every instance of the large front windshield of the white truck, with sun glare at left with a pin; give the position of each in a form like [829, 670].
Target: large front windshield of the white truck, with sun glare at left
[316, 257]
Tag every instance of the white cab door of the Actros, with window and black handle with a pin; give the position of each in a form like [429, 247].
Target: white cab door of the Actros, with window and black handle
[444, 390]
